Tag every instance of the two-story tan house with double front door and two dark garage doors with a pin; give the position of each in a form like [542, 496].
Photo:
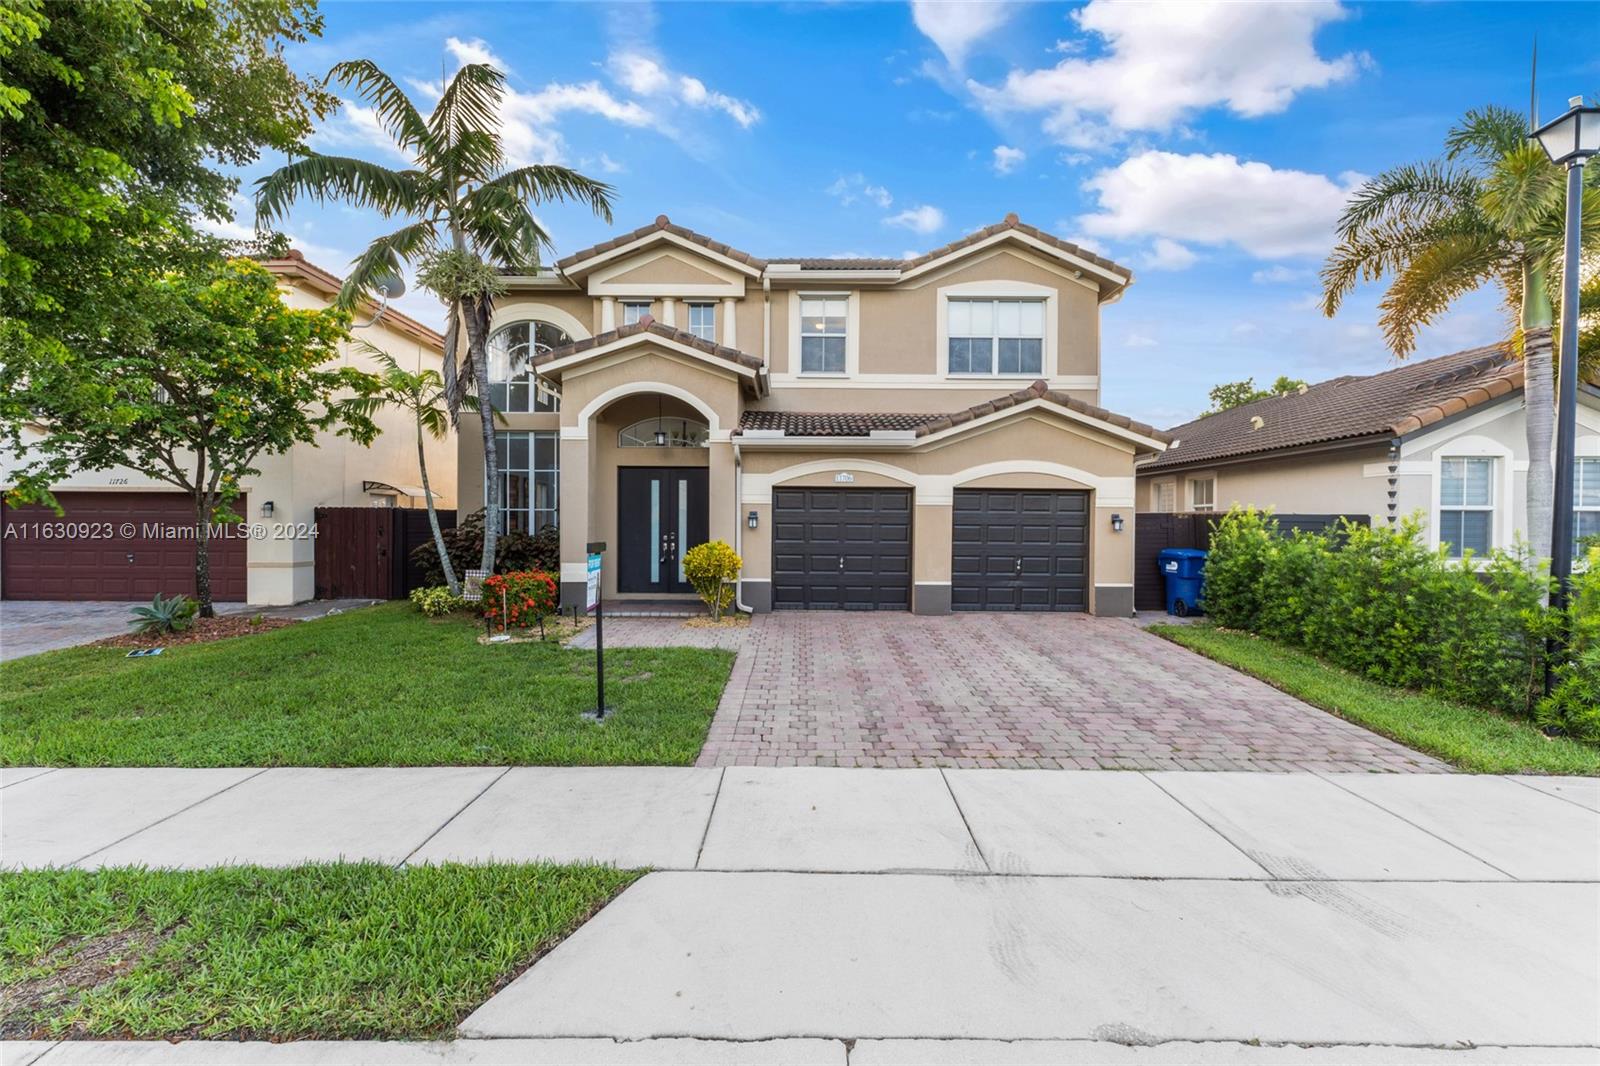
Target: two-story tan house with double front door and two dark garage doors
[876, 435]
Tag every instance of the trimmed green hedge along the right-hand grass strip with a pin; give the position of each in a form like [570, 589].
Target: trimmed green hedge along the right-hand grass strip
[1380, 603]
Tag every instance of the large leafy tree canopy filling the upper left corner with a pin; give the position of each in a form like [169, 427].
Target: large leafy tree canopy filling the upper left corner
[121, 122]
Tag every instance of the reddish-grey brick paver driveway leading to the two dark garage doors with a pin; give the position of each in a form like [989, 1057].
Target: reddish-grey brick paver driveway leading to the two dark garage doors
[1006, 691]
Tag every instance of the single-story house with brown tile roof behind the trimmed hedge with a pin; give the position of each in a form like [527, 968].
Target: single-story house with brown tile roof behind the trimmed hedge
[1446, 438]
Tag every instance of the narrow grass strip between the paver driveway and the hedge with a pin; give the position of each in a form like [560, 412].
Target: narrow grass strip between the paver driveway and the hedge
[1471, 739]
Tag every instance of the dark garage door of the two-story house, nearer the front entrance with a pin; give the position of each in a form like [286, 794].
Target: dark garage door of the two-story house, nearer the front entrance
[842, 550]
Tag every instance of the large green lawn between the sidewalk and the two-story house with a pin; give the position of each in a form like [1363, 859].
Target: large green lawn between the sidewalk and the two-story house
[377, 687]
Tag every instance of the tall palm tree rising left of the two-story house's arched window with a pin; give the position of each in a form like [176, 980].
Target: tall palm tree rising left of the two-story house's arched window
[471, 220]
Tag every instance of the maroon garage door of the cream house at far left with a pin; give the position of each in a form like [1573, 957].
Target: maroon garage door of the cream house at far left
[89, 555]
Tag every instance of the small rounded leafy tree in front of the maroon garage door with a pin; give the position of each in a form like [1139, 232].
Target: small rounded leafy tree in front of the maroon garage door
[212, 374]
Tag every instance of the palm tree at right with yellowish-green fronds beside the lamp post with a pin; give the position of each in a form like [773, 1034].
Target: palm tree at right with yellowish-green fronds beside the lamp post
[1489, 214]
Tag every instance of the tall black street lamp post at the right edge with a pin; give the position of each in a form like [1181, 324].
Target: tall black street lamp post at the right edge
[1569, 142]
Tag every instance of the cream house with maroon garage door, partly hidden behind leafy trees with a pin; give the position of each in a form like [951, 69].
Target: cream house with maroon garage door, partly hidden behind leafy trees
[279, 569]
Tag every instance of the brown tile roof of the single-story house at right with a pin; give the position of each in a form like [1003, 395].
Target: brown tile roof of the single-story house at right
[1394, 403]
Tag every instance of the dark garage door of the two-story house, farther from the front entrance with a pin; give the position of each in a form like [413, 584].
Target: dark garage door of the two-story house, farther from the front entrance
[1020, 551]
